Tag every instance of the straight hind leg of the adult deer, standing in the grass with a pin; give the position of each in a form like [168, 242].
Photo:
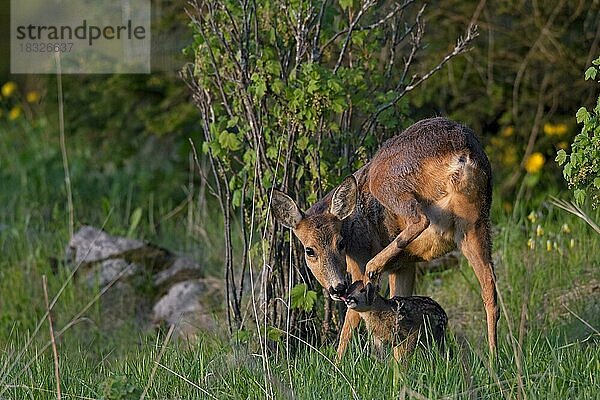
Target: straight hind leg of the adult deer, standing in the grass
[476, 247]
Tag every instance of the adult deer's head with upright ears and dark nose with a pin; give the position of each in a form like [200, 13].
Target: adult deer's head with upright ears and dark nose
[320, 233]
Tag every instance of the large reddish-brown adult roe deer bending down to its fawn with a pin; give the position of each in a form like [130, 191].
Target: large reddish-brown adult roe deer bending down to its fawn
[424, 193]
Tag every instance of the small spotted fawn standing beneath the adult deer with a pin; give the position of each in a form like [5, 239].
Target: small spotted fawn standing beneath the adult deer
[402, 322]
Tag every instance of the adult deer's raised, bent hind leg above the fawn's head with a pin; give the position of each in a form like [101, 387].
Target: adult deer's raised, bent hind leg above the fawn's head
[406, 207]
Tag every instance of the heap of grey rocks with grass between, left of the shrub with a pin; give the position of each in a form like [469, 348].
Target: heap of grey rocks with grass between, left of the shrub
[150, 285]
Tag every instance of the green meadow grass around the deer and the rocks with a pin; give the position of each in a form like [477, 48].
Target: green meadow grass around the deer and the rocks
[548, 339]
